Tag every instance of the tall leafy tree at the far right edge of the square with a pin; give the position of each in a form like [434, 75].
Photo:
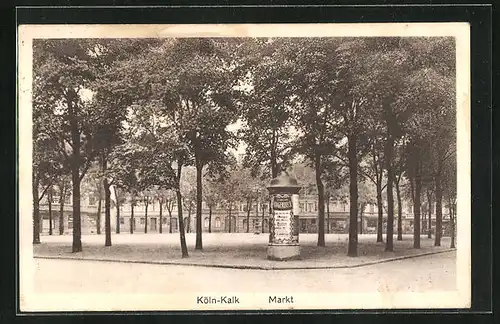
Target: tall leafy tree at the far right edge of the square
[428, 91]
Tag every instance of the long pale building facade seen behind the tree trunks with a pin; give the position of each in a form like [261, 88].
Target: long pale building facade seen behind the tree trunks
[238, 219]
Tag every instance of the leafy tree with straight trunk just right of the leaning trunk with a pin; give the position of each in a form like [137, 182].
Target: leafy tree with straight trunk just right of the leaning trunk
[191, 83]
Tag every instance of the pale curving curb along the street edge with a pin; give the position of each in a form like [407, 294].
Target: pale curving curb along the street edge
[247, 267]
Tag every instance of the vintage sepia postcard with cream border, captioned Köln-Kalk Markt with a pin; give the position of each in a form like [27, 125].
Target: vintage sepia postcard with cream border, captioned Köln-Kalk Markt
[244, 167]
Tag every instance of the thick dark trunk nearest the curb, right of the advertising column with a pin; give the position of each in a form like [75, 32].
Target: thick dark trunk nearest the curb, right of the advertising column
[353, 195]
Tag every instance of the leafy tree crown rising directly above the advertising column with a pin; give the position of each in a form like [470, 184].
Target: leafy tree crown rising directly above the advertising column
[266, 110]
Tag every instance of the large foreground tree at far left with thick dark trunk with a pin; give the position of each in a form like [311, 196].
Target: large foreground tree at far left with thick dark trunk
[62, 70]
